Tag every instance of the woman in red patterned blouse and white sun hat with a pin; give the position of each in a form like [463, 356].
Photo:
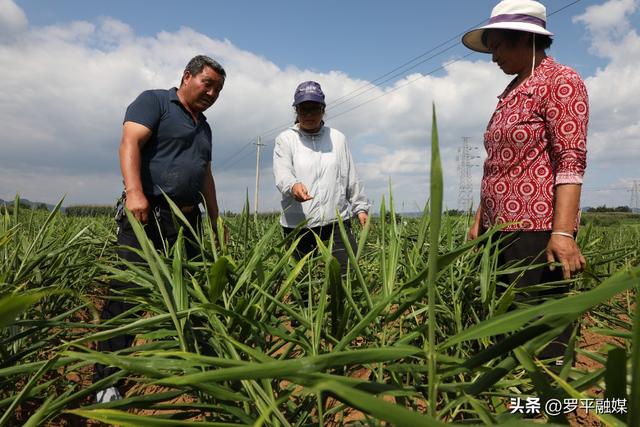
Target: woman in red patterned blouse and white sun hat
[535, 143]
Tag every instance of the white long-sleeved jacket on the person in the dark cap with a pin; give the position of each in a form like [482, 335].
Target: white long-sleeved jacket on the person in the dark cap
[322, 162]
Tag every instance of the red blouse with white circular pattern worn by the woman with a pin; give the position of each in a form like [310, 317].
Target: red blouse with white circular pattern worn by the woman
[535, 140]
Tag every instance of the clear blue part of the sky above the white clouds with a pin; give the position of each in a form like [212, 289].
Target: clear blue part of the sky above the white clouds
[363, 38]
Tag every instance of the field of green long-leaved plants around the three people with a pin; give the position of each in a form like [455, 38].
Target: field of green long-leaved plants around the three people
[247, 335]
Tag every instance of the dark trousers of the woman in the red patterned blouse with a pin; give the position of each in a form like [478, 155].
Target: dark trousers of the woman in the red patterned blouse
[530, 246]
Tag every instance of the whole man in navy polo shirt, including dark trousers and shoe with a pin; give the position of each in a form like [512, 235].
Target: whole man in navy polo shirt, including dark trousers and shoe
[165, 147]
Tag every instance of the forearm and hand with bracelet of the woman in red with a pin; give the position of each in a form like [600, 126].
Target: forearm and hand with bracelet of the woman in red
[562, 248]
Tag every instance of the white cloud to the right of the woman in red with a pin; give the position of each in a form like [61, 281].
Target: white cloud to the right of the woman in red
[614, 92]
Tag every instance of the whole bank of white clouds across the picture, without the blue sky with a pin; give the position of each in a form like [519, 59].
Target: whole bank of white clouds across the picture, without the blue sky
[62, 116]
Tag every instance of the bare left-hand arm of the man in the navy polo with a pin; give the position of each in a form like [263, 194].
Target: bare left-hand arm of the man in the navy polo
[134, 136]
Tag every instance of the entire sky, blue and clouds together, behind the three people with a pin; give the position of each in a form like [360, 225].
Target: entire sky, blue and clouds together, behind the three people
[83, 62]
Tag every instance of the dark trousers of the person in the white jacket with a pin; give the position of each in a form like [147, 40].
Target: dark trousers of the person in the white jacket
[308, 241]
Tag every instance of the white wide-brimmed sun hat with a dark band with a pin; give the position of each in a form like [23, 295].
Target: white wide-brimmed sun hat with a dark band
[520, 15]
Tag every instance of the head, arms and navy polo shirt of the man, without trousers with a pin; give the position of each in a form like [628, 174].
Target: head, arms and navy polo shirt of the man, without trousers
[166, 142]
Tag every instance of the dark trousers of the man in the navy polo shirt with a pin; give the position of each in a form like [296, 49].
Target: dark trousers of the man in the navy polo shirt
[161, 227]
